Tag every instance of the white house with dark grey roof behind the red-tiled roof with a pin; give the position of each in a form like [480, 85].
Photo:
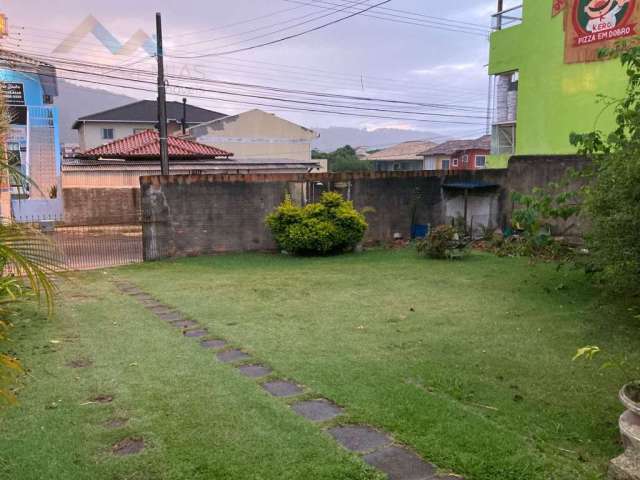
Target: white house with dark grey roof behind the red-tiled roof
[117, 123]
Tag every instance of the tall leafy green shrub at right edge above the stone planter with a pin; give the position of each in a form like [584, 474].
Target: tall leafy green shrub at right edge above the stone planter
[612, 195]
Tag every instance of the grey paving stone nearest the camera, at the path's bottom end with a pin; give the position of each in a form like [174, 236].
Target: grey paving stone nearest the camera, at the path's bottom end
[400, 464]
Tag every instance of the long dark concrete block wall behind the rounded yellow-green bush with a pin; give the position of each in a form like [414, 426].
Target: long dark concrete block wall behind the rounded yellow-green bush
[202, 214]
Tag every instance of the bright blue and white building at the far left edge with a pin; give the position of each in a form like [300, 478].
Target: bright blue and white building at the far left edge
[29, 88]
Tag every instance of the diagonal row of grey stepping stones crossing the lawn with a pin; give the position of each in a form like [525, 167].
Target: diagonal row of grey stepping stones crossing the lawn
[375, 447]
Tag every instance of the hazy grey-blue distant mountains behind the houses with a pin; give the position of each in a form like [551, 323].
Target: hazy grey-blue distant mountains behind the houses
[75, 101]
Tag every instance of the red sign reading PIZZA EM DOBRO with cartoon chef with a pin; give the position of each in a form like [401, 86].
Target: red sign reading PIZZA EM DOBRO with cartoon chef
[597, 21]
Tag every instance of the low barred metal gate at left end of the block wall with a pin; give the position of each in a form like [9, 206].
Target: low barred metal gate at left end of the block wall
[86, 247]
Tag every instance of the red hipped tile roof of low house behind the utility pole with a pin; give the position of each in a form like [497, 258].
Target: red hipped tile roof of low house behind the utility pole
[147, 145]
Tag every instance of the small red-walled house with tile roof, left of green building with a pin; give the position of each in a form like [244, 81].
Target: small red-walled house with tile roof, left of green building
[458, 154]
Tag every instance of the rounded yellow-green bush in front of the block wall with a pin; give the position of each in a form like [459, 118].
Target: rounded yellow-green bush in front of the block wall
[329, 227]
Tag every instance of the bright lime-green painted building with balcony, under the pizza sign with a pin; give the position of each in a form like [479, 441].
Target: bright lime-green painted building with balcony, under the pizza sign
[539, 100]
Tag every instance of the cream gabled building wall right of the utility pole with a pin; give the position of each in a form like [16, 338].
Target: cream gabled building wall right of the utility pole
[256, 134]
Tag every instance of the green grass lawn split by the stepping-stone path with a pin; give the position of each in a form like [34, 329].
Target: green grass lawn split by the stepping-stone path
[468, 362]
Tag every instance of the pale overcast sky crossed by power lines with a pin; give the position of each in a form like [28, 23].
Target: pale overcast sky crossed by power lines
[361, 56]
